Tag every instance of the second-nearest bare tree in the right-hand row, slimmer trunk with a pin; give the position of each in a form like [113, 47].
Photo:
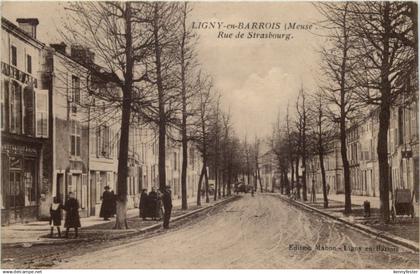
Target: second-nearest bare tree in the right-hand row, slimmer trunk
[337, 62]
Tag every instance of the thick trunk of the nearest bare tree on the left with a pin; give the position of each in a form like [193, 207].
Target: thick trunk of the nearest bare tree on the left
[121, 219]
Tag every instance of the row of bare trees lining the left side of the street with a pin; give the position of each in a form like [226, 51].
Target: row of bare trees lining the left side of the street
[145, 72]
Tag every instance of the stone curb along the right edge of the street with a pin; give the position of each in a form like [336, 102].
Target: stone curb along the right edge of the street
[366, 229]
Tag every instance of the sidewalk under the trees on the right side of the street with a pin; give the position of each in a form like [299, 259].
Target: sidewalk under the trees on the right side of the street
[404, 231]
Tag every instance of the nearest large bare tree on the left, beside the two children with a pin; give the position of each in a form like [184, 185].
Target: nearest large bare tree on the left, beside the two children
[111, 31]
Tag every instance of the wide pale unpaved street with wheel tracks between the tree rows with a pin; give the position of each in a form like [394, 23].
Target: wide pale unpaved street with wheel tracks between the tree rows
[253, 232]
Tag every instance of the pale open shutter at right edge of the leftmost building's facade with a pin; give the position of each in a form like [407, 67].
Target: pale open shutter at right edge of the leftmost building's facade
[41, 97]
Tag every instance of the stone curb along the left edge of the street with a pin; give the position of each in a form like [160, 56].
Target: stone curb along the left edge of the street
[132, 232]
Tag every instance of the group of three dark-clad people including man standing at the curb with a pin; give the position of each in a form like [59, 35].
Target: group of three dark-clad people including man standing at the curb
[150, 204]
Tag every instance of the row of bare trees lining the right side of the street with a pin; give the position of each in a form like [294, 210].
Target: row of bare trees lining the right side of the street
[369, 62]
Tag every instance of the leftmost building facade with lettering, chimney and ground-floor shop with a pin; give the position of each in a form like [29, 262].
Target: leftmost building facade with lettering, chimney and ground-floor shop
[25, 124]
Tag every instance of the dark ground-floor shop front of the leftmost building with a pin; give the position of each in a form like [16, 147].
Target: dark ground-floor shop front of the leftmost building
[20, 181]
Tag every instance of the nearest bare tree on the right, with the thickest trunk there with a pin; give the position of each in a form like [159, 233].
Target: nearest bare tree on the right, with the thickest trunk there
[387, 66]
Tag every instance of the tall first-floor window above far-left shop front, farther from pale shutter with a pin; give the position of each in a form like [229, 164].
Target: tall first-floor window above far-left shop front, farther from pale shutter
[15, 108]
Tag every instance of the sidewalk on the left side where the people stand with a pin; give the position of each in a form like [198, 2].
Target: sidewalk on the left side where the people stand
[92, 227]
